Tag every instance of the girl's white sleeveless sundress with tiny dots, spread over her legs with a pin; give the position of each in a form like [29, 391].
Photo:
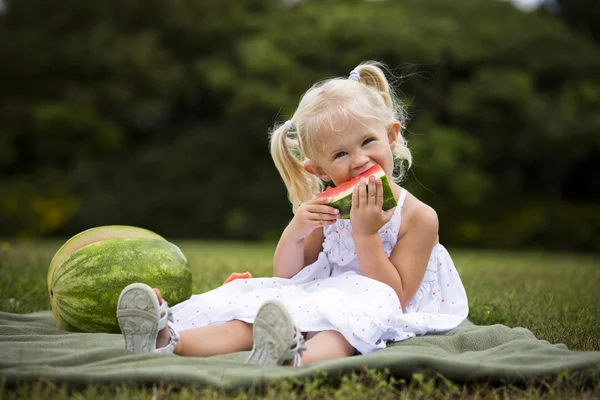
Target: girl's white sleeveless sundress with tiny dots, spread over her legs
[330, 294]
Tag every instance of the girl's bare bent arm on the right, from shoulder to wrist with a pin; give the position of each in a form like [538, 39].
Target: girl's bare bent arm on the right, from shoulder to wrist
[405, 269]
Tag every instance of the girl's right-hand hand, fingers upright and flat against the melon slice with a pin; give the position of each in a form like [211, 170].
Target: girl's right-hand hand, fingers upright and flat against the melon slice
[366, 214]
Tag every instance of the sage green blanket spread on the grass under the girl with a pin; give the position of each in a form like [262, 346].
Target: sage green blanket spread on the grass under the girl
[32, 348]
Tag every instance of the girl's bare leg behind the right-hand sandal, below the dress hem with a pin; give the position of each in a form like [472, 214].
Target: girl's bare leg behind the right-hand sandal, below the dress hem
[326, 345]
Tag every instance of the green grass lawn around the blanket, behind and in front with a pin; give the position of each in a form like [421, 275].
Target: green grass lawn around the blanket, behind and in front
[556, 296]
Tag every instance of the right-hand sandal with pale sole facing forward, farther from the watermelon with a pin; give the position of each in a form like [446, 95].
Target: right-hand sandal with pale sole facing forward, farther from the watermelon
[276, 338]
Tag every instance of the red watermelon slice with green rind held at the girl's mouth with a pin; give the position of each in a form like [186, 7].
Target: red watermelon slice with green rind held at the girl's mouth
[342, 195]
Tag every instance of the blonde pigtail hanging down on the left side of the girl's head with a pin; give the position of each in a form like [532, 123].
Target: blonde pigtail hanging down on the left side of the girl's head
[288, 159]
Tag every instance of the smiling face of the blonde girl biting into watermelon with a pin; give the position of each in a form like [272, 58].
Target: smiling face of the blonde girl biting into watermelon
[353, 147]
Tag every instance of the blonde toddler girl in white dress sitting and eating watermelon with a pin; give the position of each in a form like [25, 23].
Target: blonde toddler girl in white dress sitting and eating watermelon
[344, 286]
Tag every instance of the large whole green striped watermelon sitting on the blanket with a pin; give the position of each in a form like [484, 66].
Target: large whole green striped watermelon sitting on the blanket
[84, 288]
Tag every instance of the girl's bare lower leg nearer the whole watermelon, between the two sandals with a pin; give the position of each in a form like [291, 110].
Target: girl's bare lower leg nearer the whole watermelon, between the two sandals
[209, 341]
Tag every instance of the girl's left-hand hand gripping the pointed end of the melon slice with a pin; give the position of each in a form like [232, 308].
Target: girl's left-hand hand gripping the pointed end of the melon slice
[312, 214]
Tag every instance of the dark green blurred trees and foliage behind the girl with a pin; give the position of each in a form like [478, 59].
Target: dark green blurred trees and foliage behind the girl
[155, 113]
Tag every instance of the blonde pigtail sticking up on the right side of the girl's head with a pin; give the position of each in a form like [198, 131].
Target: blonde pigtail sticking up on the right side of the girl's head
[372, 75]
